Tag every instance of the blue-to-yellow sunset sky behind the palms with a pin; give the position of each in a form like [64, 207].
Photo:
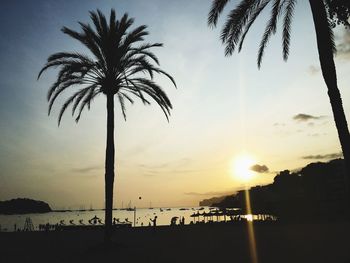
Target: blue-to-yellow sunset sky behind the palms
[224, 108]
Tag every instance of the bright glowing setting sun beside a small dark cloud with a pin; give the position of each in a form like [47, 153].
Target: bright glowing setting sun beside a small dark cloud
[241, 168]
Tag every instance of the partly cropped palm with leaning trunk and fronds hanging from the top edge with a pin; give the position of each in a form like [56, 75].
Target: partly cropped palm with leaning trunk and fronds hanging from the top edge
[241, 18]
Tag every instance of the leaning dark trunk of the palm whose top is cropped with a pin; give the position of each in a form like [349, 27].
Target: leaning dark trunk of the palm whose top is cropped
[325, 52]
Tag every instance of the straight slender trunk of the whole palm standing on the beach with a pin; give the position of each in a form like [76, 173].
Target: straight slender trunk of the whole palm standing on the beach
[109, 168]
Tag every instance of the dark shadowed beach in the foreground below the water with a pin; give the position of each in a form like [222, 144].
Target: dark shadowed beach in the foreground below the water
[275, 242]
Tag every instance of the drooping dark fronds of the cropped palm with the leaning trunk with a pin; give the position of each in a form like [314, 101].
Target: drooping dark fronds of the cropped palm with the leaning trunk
[240, 20]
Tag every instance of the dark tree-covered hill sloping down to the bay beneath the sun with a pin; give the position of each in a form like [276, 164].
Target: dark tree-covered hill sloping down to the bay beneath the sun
[318, 190]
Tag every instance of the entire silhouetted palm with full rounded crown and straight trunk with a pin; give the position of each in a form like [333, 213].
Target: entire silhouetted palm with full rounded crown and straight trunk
[117, 69]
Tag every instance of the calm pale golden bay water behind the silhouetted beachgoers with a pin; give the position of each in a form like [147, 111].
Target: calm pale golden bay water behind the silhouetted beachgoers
[143, 216]
